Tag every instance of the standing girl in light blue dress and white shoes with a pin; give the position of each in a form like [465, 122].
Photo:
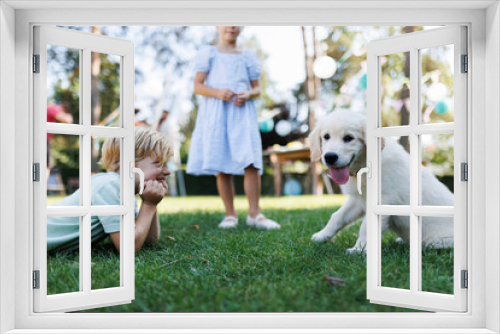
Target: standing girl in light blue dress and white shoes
[226, 139]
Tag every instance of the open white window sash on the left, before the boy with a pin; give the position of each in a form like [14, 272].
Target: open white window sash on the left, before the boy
[85, 297]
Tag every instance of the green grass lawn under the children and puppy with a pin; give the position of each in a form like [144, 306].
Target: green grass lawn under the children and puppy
[198, 268]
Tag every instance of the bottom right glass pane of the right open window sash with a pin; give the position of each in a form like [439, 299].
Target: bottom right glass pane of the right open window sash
[437, 254]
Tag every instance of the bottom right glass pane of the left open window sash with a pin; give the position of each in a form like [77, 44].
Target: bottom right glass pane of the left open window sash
[105, 258]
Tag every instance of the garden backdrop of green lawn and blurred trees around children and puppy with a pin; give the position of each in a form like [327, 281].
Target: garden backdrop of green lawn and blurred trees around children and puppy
[198, 268]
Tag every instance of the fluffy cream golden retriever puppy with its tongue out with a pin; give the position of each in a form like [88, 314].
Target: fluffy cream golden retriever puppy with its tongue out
[339, 141]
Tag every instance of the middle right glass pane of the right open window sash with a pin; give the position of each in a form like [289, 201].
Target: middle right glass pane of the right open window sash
[438, 159]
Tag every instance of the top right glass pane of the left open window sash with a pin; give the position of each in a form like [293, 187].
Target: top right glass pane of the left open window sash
[105, 94]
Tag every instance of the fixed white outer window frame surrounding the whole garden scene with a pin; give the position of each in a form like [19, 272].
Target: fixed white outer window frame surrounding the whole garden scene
[483, 20]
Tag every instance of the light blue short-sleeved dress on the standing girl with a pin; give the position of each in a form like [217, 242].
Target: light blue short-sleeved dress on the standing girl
[226, 137]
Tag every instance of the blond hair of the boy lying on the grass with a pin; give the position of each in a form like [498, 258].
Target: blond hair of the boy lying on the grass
[148, 143]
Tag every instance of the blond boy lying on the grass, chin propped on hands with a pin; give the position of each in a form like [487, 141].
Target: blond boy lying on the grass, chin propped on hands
[152, 151]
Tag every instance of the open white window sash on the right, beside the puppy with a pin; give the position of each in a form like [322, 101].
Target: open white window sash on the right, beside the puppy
[414, 296]
